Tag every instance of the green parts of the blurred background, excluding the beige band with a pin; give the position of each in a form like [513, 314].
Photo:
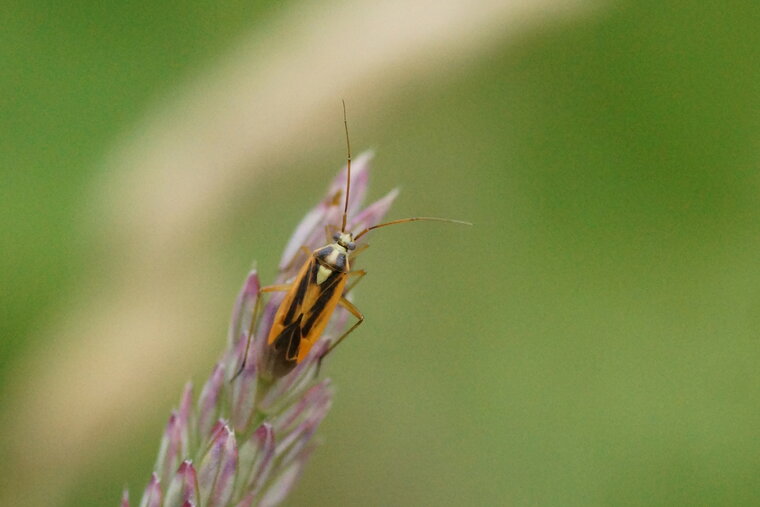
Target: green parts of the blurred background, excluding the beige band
[593, 340]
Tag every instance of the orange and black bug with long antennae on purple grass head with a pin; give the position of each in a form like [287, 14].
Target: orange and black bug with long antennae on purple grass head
[317, 290]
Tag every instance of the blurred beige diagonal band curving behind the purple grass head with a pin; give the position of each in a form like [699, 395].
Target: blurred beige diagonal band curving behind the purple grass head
[166, 183]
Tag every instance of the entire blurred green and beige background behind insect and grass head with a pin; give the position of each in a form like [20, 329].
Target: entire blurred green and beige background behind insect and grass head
[593, 340]
